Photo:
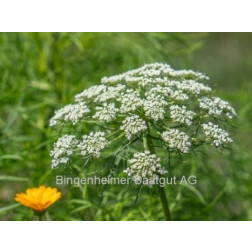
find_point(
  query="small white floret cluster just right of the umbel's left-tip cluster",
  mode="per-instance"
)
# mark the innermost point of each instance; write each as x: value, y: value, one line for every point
x: 107, y: 112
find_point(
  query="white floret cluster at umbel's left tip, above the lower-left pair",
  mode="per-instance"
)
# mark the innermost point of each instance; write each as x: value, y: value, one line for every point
x: 71, y: 112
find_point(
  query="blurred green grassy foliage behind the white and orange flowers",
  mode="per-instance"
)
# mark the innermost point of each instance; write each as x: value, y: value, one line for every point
x: 41, y: 72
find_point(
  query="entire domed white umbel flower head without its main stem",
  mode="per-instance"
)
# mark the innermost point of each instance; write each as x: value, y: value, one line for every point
x: 154, y: 96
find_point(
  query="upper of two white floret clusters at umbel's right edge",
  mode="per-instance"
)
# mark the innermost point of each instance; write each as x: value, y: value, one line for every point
x: 216, y: 106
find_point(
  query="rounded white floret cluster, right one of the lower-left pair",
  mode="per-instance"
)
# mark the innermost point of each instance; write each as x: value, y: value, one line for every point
x: 92, y: 144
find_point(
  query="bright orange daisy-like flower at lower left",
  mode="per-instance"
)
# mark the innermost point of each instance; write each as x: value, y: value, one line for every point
x: 38, y: 199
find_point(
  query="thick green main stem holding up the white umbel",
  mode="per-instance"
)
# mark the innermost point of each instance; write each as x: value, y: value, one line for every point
x: 161, y: 189
